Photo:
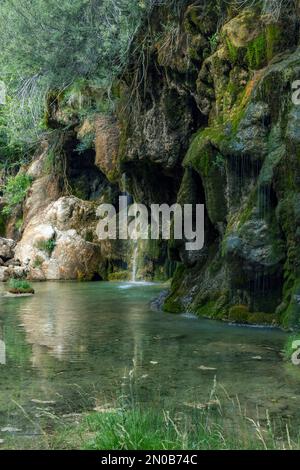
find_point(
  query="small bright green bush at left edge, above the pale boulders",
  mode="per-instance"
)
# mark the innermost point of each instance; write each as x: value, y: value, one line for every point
x: 15, y: 191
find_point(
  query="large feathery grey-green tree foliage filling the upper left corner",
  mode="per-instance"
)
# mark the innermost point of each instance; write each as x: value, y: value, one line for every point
x: 50, y: 45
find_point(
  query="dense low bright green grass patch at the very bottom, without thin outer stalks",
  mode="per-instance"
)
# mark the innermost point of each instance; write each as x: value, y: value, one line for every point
x: 137, y: 429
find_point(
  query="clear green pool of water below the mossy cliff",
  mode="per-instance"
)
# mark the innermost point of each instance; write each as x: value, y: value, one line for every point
x: 84, y: 345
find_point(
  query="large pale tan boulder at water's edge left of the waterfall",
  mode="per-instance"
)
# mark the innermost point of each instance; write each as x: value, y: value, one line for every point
x: 54, y: 243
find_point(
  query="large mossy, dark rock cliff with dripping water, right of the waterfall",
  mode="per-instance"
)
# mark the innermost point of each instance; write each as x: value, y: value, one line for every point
x: 232, y: 84
